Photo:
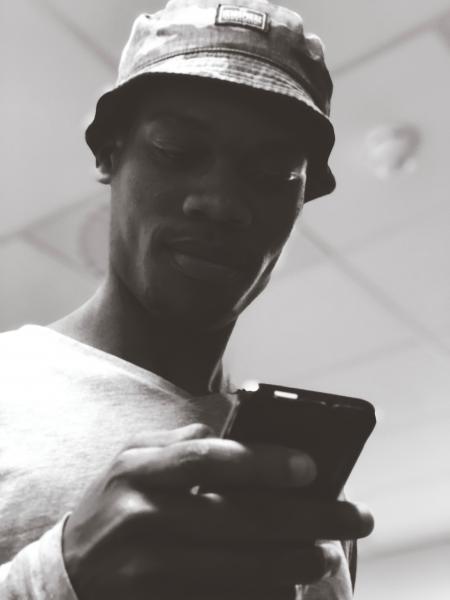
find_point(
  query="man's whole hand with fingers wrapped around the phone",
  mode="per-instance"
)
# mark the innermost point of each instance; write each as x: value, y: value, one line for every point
x: 141, y: 533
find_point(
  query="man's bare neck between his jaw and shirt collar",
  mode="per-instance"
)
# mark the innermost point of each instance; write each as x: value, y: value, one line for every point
x: 113, y: 321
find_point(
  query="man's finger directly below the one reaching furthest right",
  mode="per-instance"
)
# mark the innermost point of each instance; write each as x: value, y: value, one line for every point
x: 226, y: 566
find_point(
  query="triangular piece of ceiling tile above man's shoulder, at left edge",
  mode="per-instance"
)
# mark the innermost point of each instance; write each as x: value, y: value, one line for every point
x: 39, y: 288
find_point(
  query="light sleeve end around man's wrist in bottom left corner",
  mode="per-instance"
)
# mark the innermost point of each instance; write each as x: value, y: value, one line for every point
x: 38, y: 572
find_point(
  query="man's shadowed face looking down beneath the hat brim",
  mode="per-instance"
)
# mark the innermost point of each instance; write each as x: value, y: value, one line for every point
x: 205, y: 189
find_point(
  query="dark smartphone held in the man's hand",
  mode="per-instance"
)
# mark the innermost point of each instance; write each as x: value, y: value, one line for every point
x: 331, y: 429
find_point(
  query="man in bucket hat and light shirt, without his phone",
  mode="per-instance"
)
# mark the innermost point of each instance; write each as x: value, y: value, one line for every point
x: 216, y: 134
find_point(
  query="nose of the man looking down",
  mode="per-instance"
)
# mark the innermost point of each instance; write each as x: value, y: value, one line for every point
x: 219, y: 196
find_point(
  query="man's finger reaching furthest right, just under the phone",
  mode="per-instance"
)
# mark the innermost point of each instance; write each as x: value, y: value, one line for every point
x: 206, y: 519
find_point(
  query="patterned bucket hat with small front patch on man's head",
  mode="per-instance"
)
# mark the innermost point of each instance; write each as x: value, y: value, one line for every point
x: 247, y: 42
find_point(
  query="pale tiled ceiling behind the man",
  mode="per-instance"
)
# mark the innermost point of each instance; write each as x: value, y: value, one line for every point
x: 360, y: 303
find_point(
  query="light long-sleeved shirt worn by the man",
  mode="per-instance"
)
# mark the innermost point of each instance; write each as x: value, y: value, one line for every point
x: 66, y: 409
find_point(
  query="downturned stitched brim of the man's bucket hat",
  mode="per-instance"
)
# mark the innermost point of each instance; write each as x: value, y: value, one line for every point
x: 237, y: 69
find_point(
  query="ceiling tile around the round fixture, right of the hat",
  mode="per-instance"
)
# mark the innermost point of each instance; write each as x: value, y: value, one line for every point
x: 364, y: 208
